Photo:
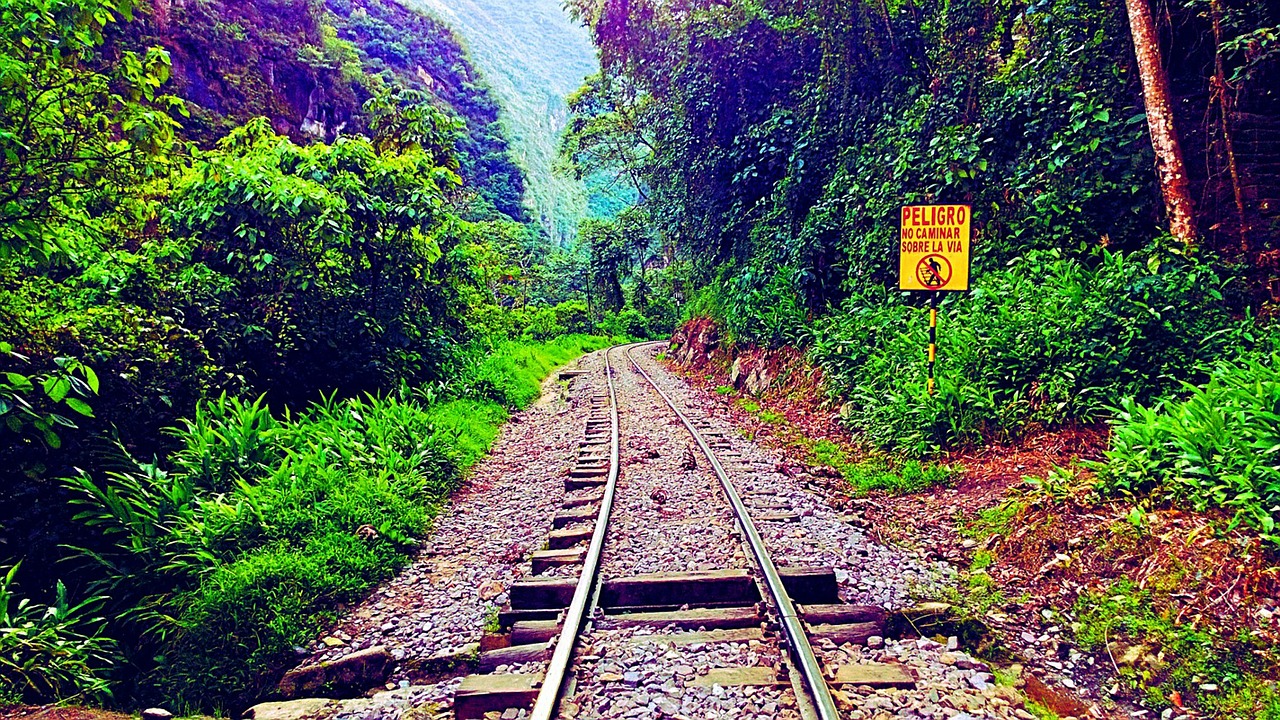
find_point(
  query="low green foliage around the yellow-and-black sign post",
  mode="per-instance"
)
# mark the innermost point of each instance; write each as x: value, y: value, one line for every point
x: 1046, y: 340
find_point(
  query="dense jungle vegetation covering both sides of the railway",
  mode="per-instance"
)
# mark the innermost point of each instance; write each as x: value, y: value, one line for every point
x: 275, y: 274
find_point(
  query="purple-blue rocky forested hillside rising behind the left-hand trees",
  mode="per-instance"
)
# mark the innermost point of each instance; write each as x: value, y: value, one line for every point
x: 310, y: 69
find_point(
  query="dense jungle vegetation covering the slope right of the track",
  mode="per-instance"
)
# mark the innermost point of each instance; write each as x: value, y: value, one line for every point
x: 772, y: 144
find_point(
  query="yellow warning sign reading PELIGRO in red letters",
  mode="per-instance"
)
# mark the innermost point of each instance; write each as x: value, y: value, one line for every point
x: 934, y: 249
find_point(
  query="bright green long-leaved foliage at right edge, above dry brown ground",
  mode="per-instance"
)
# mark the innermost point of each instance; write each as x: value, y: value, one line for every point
x: 1215, y: 446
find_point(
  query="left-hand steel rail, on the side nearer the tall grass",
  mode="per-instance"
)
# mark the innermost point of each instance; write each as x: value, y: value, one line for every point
x: 584, y: 595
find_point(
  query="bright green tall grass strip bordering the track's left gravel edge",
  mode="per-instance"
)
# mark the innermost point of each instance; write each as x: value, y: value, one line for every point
x: 250, y: 537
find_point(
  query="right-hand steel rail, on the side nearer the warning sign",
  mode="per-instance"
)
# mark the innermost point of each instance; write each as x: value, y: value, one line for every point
x: 797, y: 639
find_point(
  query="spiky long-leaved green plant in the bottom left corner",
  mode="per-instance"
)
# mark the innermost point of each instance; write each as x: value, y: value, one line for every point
x: 52, y: 651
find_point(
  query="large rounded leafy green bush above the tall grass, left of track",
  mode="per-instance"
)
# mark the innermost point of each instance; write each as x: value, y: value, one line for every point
x: 330, y: 247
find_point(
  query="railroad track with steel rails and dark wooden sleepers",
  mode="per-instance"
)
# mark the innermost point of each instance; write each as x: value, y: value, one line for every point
x: 739, y: 636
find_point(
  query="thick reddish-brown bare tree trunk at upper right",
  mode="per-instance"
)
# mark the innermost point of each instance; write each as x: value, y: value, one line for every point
x: 1160, y: 119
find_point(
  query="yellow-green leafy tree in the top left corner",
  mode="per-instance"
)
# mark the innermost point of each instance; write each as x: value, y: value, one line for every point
x: 70, y: 131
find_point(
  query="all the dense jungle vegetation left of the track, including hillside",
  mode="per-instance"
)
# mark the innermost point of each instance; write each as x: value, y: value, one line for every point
x: 271, y: 288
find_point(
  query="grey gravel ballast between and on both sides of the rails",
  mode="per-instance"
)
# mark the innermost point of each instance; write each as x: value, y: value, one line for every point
x: 668, y: 518
